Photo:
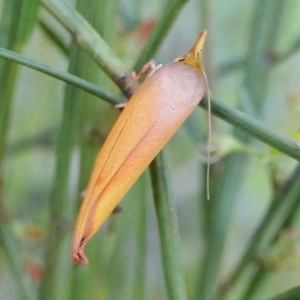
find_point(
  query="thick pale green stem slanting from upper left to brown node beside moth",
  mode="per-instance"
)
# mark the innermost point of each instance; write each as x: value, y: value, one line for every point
x: 88, y: 39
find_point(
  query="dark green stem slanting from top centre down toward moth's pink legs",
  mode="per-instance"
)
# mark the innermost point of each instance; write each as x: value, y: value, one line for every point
x: 169, y: 15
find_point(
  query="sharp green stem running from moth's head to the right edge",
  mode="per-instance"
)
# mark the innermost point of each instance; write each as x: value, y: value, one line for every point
x: 253, y: 127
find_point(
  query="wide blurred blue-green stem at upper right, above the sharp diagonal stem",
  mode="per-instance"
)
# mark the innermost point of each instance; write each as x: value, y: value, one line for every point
x: 267, y: 21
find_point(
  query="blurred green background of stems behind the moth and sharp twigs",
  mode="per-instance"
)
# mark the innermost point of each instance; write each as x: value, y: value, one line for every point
x: 51, y: 132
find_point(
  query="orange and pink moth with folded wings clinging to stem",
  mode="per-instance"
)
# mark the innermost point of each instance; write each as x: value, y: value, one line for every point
x: 153, y: 114
